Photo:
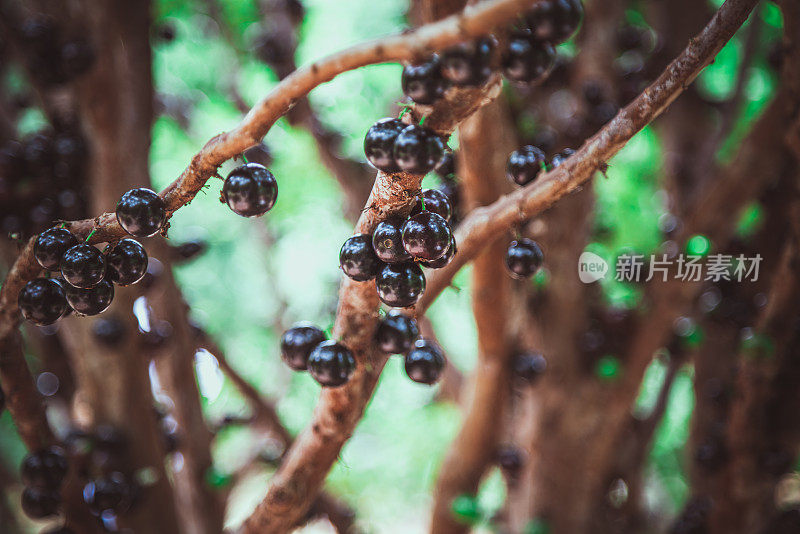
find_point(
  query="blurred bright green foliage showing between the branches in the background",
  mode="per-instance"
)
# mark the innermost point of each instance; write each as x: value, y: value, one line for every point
x: 260, y: 275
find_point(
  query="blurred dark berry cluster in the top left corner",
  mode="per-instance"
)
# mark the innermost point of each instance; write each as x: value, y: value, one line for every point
x: 51, y: 57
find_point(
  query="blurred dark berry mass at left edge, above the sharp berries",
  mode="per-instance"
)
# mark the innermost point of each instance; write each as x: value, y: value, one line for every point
x: 42, y: 178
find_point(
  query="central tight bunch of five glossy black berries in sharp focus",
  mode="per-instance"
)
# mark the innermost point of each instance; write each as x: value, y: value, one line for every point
x: 393, y: 253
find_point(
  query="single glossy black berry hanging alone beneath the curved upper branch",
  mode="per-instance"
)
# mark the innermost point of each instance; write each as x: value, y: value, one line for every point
x: 250, y: 190
